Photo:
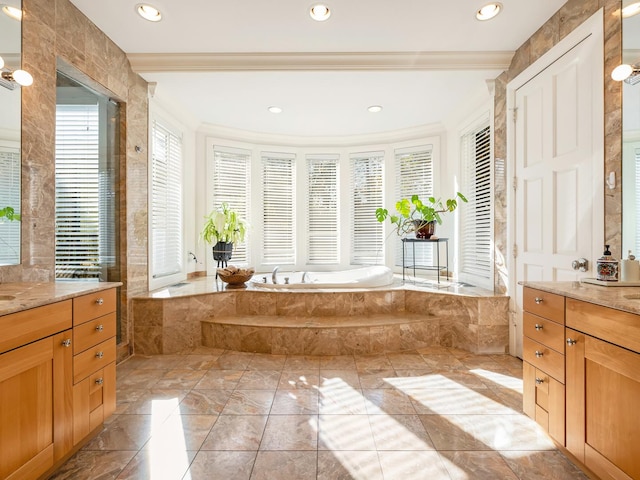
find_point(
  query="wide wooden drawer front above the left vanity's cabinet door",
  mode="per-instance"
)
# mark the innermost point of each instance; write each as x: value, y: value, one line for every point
x: 30, y: 325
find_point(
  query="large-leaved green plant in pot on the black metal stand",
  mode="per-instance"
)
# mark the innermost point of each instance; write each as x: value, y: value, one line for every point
x: 415, y: 215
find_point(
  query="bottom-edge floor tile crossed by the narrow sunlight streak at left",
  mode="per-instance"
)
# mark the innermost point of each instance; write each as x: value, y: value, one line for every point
x: 160, y: 464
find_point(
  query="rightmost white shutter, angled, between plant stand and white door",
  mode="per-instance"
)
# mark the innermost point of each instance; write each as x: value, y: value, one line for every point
x: 475, y: 227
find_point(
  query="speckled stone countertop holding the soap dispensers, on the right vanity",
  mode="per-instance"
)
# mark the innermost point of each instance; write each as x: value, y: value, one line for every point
x: 626, y: 299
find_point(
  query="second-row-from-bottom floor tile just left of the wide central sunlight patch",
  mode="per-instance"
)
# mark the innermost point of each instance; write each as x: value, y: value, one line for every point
x: 290, y: 432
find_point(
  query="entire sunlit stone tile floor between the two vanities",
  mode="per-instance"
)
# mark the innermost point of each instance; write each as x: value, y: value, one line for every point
x: 436, y: 413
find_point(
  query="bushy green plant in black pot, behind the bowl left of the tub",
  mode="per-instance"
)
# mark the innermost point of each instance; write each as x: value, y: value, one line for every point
x: 222, y: 228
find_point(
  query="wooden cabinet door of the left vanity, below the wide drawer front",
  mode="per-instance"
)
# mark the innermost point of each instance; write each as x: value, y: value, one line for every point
x: 26, y: 416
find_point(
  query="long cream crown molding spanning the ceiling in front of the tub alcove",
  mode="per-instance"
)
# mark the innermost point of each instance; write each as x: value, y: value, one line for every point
x: 215, y: 62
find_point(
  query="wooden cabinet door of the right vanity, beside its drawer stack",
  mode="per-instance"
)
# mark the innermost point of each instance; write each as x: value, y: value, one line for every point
x: 603, y: 398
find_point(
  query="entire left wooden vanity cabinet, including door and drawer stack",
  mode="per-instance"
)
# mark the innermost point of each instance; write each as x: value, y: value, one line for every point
x: 57, y: 381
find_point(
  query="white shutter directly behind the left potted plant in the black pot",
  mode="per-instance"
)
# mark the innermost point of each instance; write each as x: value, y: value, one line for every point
x: 231, y: 184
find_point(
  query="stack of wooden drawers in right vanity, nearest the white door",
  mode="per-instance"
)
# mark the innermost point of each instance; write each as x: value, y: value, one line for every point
x: 544, y: 363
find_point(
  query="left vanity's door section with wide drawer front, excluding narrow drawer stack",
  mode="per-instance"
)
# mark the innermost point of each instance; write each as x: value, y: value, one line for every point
x: 35, y: 392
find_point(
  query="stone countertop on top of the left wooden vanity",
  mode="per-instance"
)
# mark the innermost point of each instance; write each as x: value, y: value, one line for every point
x: 15, y: 297
